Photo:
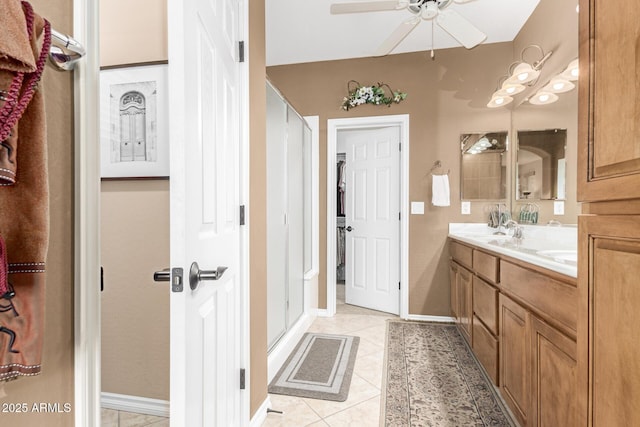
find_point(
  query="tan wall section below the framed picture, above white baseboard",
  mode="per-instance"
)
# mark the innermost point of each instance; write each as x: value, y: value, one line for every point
x: 135, y: 320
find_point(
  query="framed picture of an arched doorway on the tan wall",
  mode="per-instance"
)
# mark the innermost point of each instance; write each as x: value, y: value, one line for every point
x: 134, y: 126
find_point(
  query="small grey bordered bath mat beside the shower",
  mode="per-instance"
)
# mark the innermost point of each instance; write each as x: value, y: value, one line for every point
x: 319, y: 367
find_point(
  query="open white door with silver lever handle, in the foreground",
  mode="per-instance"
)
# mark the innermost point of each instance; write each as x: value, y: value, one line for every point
x: 206, y: 323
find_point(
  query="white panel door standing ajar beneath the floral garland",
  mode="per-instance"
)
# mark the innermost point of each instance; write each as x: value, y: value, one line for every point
x: 372, y: 209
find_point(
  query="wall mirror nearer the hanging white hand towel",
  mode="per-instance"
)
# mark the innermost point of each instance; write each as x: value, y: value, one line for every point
x: 483, y: 166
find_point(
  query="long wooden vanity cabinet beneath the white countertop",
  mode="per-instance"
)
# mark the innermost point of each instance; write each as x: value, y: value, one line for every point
x: 523, y: 323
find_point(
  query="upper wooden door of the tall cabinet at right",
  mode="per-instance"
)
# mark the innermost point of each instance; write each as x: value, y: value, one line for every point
x: 609, y: 152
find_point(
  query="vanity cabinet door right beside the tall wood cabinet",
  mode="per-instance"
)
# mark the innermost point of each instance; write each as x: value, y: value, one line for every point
x: 553, y: 377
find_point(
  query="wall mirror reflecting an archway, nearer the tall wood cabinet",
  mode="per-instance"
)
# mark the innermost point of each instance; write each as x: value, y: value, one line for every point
x: 541, y: 165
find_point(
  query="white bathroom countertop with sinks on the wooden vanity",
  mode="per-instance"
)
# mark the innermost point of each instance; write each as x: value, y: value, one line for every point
x: 550, y: 247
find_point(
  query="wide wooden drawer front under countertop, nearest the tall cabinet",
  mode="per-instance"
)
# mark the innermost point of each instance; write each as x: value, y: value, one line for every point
x: 555, y: 301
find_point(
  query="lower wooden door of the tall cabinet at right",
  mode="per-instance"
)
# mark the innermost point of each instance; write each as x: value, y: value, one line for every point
x: 609, y: 360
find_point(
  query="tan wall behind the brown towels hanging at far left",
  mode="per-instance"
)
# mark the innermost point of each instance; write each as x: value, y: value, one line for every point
x: 55, y: 384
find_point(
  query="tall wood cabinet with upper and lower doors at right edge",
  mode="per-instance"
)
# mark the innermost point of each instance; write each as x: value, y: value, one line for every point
x: 609, y: 229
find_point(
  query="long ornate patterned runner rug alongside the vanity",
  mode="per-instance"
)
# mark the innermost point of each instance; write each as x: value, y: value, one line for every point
x: 433, y: 379
